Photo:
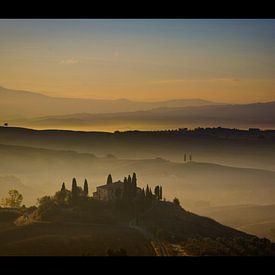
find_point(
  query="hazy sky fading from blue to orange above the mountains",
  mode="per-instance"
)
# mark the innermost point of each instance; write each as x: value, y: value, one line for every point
x: 221, y: 60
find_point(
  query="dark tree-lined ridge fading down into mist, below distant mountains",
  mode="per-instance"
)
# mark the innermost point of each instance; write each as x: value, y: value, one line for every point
x: 231, y: 147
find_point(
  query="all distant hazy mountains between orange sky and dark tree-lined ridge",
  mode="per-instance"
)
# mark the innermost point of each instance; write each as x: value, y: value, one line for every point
x: 27, y: 109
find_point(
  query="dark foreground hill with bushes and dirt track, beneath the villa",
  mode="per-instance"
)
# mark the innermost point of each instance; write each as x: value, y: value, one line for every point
x: 143, y: 225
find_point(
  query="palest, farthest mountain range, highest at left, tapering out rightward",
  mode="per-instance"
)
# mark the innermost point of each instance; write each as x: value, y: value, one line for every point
x: 24, y: 104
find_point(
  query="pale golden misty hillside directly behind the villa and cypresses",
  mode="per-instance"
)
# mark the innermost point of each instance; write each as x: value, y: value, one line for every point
x: 45, y: 169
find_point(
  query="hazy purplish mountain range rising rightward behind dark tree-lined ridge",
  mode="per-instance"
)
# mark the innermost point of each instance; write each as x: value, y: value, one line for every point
x: 260, y: 115
